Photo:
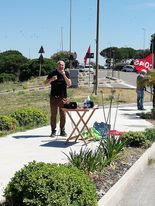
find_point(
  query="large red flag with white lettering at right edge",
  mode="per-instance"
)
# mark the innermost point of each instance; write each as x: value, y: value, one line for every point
x: 145, y: 63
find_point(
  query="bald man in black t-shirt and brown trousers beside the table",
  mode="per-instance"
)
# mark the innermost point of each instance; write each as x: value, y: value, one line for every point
x: 59, y: 80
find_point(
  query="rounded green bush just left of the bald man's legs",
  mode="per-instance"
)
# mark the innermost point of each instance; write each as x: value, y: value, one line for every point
x: 30, y: 117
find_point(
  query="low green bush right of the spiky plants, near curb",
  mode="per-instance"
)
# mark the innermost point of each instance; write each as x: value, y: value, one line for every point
x: 136, y: 139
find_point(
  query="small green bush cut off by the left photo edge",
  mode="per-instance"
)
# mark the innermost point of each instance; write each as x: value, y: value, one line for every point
x: 7, y: 123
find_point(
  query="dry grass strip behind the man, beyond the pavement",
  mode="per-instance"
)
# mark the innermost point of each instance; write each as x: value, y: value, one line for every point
x: 16, y: 98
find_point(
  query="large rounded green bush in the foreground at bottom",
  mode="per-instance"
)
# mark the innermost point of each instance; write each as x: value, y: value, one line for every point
x: 45, y: 184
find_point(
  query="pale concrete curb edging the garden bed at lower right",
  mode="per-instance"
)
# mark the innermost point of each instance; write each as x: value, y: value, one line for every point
x: 115, y: 194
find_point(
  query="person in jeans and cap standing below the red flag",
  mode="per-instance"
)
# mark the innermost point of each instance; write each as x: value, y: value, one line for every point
x: 140, y: 89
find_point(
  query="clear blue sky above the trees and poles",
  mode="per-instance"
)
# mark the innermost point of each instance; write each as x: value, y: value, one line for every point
x: 26, y: 25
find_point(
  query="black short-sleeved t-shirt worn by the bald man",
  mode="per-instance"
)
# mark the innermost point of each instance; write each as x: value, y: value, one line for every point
x: 59, y: 86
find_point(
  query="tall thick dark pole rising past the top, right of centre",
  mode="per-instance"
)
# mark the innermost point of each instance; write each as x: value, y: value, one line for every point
x: 97, y: 46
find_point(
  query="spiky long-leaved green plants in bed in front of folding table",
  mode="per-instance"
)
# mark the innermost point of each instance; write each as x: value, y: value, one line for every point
x: 91, y: 161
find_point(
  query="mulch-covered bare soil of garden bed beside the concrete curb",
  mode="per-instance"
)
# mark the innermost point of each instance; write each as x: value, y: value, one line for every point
x: 106, y: 179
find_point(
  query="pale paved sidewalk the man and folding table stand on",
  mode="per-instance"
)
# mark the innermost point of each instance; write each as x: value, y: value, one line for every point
x: 20, y: 148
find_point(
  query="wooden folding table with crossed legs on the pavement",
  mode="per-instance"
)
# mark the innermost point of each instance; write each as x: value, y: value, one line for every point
x: 81, y: 113
